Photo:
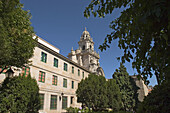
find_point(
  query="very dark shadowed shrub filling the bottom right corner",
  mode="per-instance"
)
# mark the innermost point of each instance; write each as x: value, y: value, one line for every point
x: 158, y: 101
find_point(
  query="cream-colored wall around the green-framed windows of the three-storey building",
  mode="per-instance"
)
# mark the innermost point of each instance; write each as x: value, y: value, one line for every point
x: 47, y: 88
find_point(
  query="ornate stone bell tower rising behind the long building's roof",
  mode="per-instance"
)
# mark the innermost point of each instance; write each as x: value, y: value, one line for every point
x: 85, y: 55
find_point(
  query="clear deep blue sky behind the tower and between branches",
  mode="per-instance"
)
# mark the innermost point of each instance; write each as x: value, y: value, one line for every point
x: 61, y: 23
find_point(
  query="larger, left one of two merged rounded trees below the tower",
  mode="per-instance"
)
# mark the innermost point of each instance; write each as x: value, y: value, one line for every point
x: 92, y: 92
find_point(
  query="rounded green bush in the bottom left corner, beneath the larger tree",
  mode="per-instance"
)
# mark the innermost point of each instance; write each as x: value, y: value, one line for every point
x: 19, y: 94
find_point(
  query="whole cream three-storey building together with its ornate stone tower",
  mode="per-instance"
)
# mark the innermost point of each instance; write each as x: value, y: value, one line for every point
x: 57, y: 75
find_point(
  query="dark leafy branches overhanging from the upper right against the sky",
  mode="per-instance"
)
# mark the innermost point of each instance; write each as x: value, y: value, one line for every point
x: 142, y: 30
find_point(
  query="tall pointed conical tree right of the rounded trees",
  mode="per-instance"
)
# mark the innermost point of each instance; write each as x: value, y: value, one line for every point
x: 128, y: 88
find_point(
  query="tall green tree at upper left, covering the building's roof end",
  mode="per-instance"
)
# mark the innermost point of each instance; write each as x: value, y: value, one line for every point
x: 16, y: 34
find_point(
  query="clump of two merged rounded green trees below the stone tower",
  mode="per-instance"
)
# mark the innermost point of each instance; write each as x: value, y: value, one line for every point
x: 98, y: 94
